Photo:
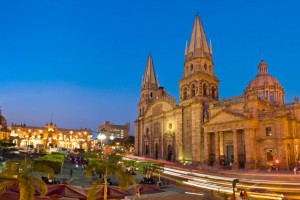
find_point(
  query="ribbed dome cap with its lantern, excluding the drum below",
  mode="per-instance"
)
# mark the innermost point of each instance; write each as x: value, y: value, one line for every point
x: 263, y: 79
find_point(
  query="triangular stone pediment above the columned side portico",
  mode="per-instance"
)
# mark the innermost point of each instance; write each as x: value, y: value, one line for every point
x: 225, y: 117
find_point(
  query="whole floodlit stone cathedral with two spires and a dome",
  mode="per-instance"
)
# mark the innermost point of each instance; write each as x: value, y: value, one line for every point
x: 255, y: 130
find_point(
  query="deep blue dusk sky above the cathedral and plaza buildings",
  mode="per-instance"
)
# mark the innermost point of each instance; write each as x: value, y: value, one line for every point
x: 82, y: 61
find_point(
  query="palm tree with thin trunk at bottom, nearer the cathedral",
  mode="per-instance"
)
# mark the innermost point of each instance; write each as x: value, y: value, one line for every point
x: 107, y: 165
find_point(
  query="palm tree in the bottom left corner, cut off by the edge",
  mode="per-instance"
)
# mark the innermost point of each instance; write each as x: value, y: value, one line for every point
x: 27, y: 175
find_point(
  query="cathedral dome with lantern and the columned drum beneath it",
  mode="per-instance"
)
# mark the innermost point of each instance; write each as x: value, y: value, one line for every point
x: 267, y: 86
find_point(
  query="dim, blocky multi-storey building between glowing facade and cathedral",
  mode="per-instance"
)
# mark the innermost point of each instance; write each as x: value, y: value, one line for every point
x: 118, y: 131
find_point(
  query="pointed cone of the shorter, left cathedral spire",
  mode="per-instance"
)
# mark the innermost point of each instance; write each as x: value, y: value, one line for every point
x: 149, y: 79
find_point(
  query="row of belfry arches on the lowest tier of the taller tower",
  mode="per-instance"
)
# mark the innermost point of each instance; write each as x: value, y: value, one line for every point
x: 205, y: 90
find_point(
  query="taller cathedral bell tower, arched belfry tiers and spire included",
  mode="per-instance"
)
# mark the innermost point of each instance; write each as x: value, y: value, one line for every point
x: 199, y: 81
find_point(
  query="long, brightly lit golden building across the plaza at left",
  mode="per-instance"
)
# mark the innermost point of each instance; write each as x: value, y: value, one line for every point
x: 50, y: 136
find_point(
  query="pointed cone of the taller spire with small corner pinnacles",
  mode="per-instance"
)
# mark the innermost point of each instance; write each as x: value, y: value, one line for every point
x: 198, y: 46
